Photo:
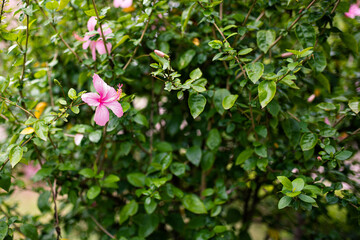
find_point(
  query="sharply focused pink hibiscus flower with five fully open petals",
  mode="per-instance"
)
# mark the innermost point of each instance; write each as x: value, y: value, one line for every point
x: 107, y: 97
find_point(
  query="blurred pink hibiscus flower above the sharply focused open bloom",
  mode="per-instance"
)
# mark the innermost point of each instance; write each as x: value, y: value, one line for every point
x: 97, y: 44
